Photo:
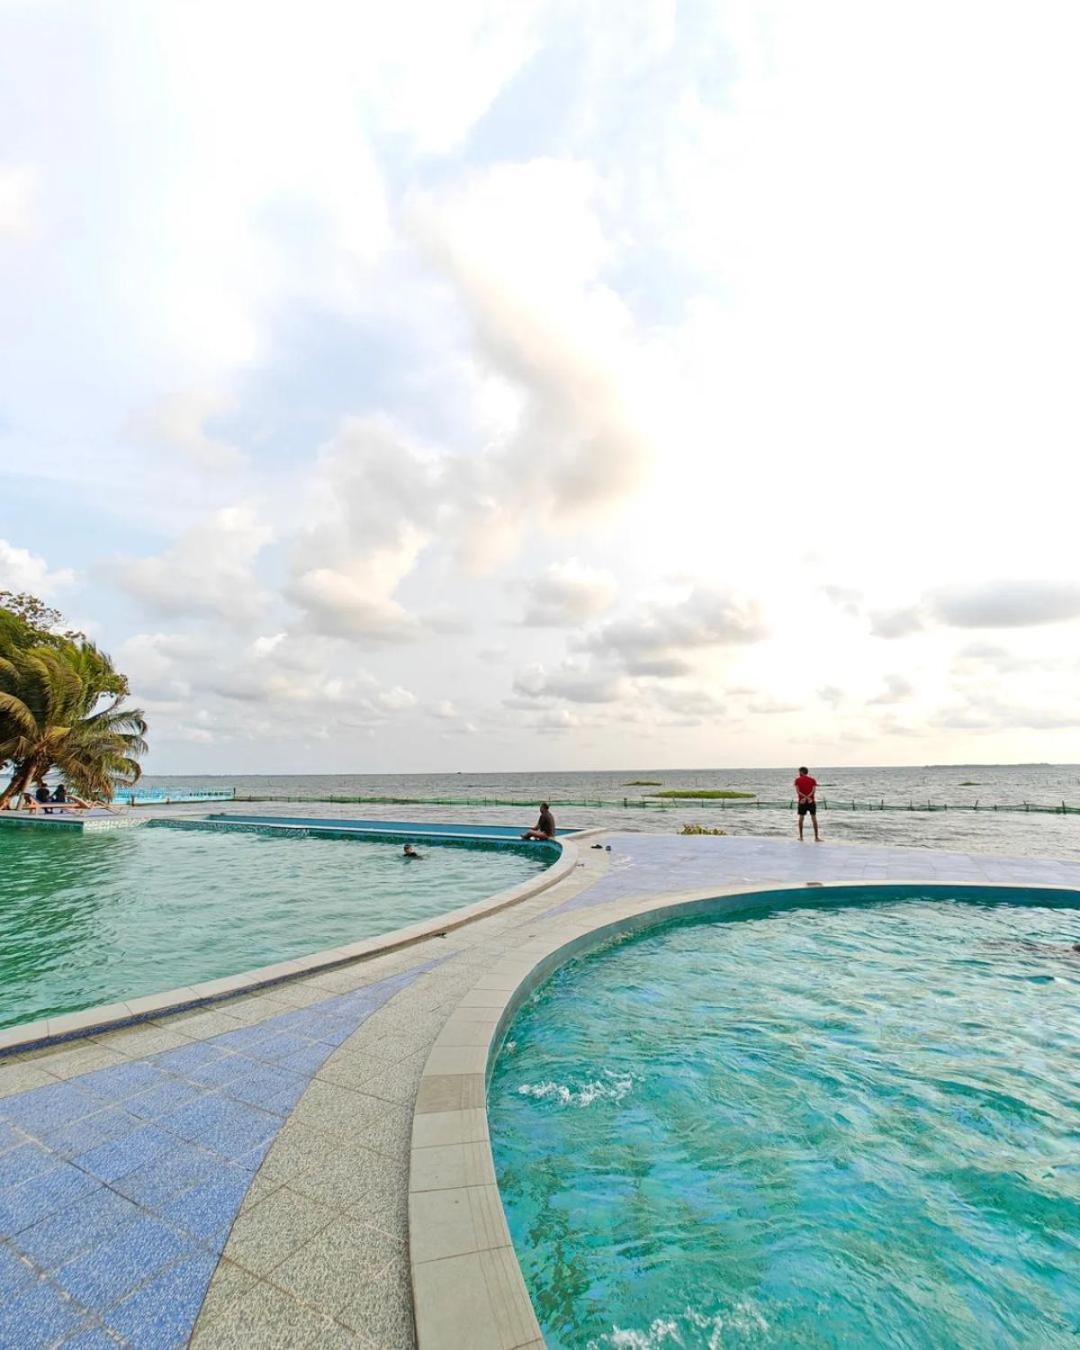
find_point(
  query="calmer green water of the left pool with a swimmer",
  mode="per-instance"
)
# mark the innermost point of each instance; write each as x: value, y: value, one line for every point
x: 90, y: 919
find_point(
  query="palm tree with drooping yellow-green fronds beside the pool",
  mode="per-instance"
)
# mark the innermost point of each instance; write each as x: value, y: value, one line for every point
x: 57, y: 711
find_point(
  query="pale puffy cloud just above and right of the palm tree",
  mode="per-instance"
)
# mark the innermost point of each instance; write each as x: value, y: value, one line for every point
x: 209, y: 570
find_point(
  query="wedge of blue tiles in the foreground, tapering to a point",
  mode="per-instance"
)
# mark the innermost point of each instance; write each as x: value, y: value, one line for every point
x: 118, y: 1189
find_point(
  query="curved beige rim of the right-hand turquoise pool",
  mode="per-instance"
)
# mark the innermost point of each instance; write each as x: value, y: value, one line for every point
x: 456, y: 1205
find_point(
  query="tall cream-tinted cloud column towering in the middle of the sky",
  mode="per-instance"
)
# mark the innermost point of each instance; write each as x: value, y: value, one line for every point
x: 523, y: 246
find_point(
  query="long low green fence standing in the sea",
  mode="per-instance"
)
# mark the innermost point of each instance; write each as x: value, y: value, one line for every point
x: 682, y: 803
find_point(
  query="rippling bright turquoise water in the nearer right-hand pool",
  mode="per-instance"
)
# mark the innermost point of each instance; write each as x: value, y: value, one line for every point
x: 821, y: 1127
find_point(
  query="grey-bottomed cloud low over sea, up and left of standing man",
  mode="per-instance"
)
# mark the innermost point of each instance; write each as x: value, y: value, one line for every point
x: 655, y: 641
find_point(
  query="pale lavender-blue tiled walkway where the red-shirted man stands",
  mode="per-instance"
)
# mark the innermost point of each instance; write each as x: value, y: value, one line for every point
x: 658, y: 865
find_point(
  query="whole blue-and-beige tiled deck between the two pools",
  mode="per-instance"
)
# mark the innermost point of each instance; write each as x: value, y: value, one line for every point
x: 308, y: 1164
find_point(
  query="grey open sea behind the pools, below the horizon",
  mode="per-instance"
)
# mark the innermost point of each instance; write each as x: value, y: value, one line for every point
x: 619, y: 800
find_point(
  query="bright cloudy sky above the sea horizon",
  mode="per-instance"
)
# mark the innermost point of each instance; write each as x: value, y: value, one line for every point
x: 564, y: 384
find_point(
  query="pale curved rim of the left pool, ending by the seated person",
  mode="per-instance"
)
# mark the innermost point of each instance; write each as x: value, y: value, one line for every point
x: 110, y: 1017
